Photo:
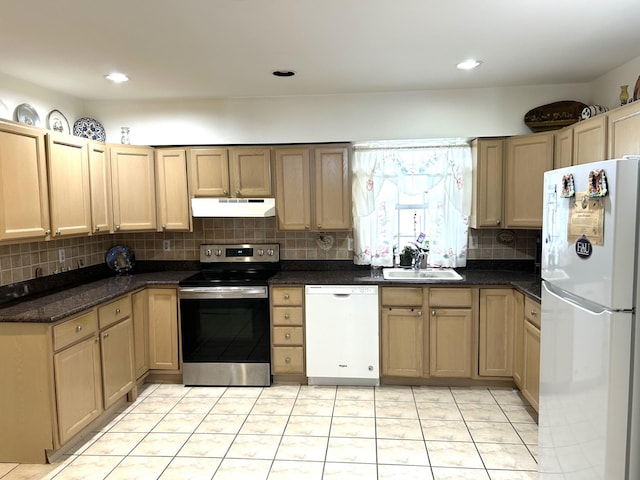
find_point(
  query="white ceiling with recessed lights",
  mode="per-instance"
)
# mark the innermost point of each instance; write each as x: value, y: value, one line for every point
x: 228, y: 48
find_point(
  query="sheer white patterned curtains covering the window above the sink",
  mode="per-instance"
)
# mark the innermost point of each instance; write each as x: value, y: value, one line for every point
x: 442, y: 174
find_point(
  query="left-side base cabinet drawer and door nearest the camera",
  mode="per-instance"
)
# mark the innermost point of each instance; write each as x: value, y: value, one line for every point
x: 77, y: 370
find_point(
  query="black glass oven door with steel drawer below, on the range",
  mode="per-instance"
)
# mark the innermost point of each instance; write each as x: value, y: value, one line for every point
x: 225, y: 335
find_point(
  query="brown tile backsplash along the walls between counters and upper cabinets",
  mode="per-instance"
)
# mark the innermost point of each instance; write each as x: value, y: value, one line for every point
x: 25, y: 261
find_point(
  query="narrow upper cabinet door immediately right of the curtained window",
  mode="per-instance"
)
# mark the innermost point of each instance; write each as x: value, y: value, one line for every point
x: 486, y: 204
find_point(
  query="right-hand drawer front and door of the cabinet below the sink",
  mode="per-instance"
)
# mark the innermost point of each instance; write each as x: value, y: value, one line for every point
x: 451, y: 332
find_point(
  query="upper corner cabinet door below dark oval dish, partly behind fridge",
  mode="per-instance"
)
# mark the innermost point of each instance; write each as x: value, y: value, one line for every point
x: 527, y: 158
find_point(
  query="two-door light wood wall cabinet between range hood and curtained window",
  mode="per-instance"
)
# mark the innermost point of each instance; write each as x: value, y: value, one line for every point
x: 313, y: 190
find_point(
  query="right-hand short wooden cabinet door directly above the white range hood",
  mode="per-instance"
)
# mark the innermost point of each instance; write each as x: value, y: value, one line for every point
x: 251, y: 172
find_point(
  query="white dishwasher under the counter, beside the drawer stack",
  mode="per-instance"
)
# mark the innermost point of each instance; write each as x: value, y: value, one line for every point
x: 341, y: 326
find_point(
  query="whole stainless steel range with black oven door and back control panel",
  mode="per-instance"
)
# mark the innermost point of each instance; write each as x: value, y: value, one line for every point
x: 225, y: 316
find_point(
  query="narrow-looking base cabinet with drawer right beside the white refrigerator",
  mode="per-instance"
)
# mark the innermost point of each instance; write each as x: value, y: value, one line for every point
x: 531, y: 383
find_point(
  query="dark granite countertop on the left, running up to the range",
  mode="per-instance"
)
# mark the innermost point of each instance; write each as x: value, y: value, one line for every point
x: 57, y: 306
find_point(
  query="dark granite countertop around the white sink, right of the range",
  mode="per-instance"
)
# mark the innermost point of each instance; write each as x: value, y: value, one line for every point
x: 526, y: 282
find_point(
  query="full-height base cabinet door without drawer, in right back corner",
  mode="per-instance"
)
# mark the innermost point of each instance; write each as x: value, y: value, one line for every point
x: 496, y: 332
